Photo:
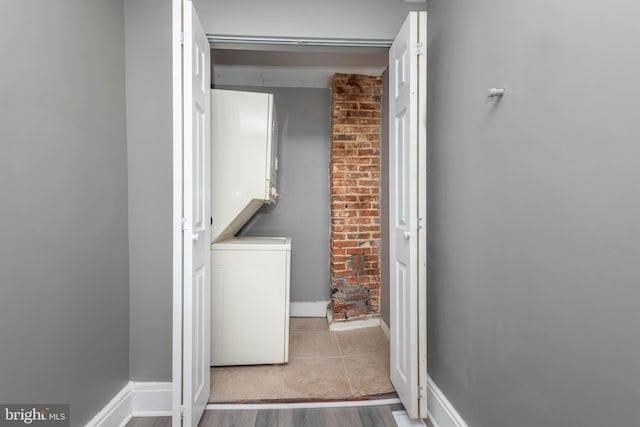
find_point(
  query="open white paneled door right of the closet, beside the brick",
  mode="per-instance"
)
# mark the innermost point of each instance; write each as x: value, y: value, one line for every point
x: 407, y: 192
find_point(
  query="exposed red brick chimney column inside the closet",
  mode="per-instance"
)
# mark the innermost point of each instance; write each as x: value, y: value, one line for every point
x: 355, y: 194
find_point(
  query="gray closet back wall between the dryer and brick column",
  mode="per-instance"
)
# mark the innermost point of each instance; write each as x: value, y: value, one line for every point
x: 302, y: 212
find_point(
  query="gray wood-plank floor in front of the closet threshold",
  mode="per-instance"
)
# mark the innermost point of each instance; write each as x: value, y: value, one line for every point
x: 364, y: 416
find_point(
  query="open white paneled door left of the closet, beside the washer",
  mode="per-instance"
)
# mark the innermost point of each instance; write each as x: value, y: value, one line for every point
x: 196, y: 228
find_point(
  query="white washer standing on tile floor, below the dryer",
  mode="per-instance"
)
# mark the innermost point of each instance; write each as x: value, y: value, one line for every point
x: 250, y: 301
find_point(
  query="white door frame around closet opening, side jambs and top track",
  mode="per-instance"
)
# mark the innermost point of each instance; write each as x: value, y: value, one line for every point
x: 177, y: 261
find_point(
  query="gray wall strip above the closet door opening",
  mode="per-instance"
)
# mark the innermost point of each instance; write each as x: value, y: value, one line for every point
x: 368, y: 19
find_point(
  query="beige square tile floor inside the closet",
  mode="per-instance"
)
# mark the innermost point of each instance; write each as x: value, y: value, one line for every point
x: 323, y: 365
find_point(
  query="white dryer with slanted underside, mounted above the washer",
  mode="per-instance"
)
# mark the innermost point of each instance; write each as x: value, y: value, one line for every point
x: 244, y: 158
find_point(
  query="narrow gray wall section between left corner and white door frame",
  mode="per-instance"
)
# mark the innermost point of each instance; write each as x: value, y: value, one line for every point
x: 149, y: 150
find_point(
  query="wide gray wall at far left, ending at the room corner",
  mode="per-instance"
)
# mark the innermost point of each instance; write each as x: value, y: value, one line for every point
x: 64, y: 301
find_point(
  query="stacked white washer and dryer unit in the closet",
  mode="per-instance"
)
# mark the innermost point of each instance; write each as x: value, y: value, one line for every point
x: 250, y: 275
